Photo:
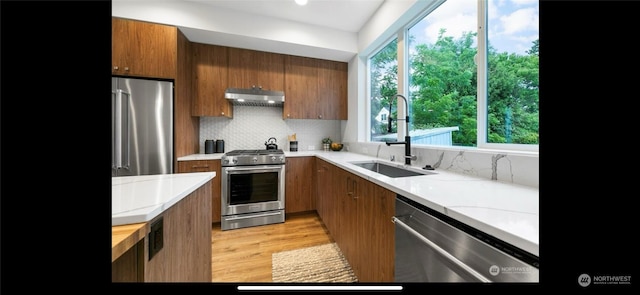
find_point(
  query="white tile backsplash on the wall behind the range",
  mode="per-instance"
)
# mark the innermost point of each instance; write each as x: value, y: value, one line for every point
x: 252, y: 126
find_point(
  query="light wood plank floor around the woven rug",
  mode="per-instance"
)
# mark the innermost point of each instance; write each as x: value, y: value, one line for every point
x: 244, y: 255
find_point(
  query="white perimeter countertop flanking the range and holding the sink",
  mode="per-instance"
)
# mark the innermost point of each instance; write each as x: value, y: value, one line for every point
x: 507, y: 211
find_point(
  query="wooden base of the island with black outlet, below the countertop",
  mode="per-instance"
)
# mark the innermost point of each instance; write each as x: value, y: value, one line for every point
x: 177, y: 246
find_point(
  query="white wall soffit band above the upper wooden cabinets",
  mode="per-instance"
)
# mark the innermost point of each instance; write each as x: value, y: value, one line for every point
x: 229, y: 28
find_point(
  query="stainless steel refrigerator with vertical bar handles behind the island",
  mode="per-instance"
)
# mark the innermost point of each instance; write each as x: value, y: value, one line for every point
x: 142, y: 127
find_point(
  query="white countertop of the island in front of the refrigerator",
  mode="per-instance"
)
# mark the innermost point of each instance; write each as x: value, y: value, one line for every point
x: 137, y: 199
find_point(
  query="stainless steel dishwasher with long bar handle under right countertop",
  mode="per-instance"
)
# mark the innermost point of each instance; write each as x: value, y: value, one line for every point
x: 432, y: 247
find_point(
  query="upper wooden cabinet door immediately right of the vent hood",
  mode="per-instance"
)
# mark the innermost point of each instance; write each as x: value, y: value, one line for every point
x: 301, y: 88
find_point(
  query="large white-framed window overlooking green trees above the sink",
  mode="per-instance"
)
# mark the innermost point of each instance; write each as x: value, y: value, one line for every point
x: 465, y: 87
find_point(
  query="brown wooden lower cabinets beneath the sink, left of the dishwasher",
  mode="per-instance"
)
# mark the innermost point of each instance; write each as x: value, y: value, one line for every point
x: 358, y: 215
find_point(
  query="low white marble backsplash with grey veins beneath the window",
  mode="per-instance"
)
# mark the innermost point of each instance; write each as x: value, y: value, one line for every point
x: 517, y: 168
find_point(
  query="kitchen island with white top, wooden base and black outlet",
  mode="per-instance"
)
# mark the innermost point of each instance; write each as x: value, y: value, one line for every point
x: 161, y: 228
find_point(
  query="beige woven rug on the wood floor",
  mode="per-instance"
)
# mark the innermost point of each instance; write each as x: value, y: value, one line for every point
x: 318, y: 264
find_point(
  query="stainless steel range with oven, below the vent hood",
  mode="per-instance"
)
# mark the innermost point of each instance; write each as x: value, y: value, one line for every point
x: 252, y: 188
